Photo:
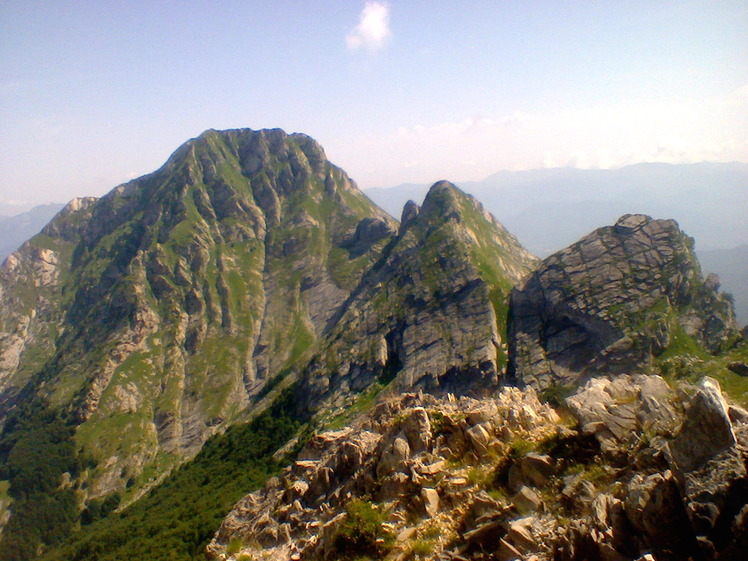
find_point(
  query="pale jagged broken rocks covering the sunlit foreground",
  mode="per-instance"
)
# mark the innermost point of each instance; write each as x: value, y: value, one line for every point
x: 638, y: 477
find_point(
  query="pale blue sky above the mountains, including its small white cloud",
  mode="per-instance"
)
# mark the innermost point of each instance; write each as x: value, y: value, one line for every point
x: 95, y: 93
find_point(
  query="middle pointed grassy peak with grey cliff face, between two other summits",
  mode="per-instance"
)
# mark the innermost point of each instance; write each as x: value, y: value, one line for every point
x: 431, y: 313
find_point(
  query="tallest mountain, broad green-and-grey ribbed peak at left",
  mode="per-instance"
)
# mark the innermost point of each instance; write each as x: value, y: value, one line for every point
x: 164, y: 307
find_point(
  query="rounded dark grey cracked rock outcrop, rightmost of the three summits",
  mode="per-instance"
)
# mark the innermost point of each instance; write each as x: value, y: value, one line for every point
x: 611, y: 302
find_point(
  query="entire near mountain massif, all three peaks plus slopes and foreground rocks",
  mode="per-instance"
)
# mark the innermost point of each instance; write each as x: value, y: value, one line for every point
x: 239, y: 357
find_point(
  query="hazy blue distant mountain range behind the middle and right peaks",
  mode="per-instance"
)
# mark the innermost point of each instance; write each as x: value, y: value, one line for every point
x: 548, y: 209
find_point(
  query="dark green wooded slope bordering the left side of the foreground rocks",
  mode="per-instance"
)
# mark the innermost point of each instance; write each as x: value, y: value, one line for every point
x: 176, y: 520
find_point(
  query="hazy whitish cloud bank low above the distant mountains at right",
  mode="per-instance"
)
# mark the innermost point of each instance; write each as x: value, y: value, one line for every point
x: 678, y: 130
